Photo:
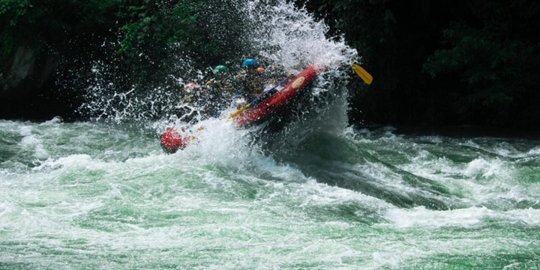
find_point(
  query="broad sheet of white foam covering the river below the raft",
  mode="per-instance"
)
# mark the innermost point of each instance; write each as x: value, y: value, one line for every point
x: 223, y: 198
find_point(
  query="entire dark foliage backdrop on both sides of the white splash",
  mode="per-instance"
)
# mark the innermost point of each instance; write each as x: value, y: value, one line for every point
x: 440, y: 62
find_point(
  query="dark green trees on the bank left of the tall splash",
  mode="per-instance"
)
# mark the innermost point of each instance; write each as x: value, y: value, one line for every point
x: 49, y: 48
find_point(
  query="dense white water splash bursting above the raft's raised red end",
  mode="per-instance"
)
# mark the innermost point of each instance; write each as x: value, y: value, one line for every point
x: 290, y: 36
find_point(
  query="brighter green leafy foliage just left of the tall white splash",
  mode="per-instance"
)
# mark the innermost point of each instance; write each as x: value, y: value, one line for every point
x: 158, y: 34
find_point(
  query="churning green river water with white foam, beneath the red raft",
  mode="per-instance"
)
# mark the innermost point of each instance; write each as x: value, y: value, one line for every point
x: 94, y: 196
